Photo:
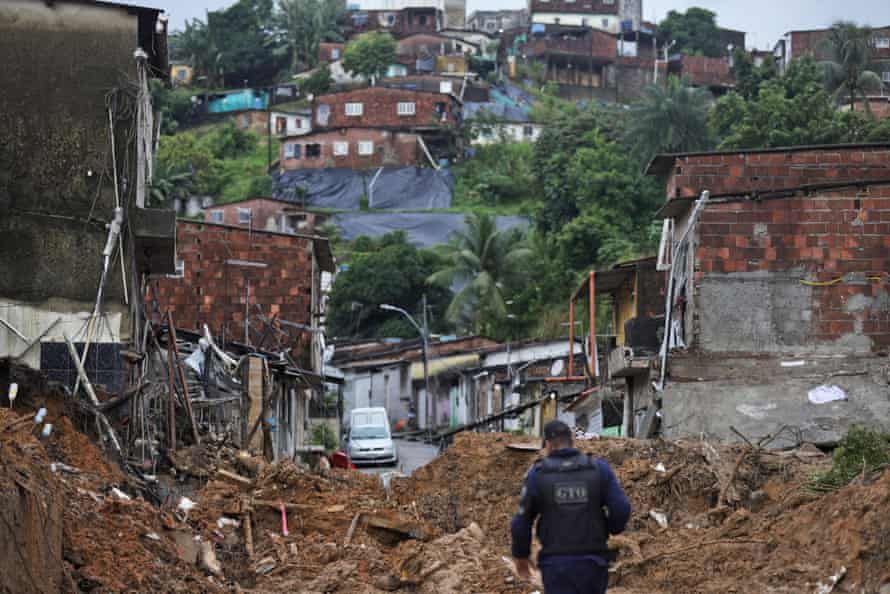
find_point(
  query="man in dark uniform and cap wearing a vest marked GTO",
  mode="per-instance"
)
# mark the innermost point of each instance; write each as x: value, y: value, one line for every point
x: 577, y: 502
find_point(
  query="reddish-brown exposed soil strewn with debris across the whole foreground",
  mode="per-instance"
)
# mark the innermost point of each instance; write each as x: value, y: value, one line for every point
x: 738, y: 520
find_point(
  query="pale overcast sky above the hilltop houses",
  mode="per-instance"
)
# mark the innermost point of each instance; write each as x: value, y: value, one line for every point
x: 764, y: 20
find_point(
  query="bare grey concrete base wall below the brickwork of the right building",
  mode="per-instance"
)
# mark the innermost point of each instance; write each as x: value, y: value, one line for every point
x: 759, y: 396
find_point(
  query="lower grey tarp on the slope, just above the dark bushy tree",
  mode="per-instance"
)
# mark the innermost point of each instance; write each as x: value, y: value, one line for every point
x: 423, y: 229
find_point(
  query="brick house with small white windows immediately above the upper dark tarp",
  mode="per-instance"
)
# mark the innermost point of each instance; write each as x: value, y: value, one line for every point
x: 351, y: 148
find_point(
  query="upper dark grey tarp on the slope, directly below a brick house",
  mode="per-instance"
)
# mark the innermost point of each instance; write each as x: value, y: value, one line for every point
x: 402, y: 188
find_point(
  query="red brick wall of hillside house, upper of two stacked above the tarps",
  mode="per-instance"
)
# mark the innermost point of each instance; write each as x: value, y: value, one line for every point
x: 380, y: 109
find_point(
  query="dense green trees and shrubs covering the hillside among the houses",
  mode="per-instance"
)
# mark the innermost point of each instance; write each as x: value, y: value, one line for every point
x: 581, y: 184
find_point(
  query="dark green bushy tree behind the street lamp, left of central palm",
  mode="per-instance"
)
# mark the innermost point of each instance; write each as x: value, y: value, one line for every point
x: 385, y: 270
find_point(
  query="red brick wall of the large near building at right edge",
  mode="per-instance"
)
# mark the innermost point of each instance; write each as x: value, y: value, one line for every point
x: 824, y: 237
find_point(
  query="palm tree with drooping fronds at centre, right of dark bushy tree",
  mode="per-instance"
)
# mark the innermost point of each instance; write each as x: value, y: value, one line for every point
x: 482, y: 261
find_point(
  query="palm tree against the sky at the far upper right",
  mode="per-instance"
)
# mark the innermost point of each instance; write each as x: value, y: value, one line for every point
x: 846, y: 71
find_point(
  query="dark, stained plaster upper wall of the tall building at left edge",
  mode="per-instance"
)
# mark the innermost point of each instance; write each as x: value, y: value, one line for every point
x: 60, y: 62
